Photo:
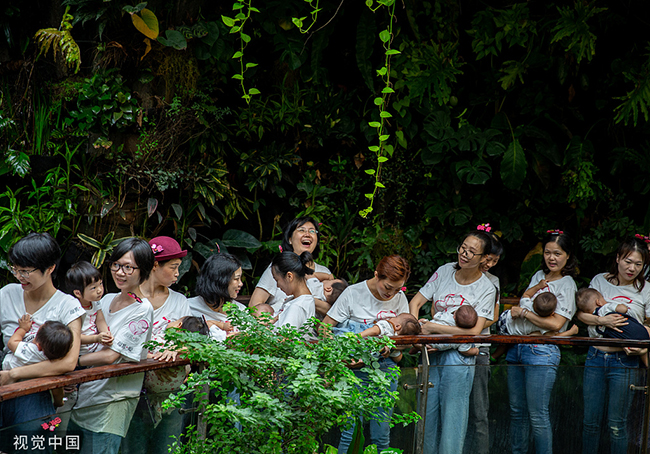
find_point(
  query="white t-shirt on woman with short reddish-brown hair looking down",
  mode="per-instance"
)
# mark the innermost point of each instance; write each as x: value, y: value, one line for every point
x: 358, y: 304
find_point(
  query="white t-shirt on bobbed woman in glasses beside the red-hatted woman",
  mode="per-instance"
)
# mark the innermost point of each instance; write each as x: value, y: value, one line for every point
x: 131, y: 329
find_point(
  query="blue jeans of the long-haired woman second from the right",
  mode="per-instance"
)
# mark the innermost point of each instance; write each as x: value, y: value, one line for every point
x: 531, y: 375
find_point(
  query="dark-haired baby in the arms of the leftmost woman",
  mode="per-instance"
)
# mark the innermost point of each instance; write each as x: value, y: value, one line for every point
x: 53, y: 341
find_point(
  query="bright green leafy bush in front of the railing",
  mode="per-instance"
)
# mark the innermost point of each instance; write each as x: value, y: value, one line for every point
x: 291, y: 391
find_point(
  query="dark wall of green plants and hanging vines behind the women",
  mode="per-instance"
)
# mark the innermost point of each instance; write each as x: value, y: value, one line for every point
x: 529, y: 116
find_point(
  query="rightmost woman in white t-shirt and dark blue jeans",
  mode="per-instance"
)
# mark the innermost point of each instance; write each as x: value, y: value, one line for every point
x: 610, y: 371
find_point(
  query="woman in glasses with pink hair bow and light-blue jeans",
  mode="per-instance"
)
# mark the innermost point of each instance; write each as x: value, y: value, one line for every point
x: 452, y: 373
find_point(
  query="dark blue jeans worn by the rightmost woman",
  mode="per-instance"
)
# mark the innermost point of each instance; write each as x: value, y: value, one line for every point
x: 607, y: 381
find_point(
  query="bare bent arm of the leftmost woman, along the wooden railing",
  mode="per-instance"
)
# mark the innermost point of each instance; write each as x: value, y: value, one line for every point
x: 48, y: 368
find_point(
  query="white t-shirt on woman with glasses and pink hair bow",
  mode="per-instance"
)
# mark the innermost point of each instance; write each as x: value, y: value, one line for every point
x: 447, y: 294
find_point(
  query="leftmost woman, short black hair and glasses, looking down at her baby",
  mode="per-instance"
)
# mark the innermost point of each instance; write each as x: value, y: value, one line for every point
x: 34, y: 262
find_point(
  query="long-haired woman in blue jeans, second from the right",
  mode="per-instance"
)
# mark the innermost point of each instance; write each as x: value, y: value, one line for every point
x: 530, y: 384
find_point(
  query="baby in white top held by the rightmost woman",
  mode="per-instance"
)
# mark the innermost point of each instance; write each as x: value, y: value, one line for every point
x: 590, y: 301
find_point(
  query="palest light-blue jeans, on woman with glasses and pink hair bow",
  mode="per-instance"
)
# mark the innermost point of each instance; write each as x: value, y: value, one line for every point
x: 452, y: 376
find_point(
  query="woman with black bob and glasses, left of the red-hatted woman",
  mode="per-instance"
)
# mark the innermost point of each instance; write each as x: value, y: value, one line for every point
x: 105, y: 407
